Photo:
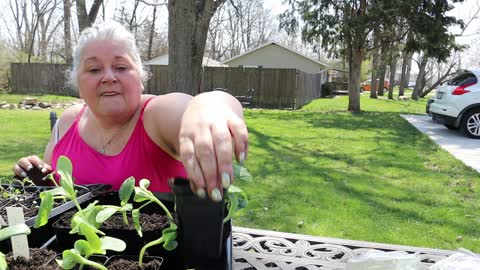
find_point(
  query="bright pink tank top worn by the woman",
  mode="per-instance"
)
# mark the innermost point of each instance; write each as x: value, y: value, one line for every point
x: 140, y: 158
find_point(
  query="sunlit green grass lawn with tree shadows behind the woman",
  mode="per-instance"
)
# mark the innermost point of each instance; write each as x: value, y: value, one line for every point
x: 324, y: 171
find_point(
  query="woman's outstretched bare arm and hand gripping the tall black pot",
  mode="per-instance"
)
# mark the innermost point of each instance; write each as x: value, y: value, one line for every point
x: 202, y: 130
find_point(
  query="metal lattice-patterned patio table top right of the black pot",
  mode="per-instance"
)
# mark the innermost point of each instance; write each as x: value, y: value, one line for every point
x: 262, y: 249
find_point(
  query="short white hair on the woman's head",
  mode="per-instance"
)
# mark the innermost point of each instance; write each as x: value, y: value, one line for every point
x: 106, y: 31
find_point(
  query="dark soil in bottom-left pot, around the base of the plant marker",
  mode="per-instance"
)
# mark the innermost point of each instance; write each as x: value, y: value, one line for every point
x: 40, y: 259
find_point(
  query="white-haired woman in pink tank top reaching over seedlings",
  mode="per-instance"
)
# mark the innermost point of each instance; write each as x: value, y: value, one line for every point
x: 120, y: 132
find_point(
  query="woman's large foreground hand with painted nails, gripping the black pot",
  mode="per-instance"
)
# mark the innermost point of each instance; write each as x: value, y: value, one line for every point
x: 212, y: 128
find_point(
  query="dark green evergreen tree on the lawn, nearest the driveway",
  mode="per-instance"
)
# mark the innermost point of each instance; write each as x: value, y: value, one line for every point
x: 348, y: 24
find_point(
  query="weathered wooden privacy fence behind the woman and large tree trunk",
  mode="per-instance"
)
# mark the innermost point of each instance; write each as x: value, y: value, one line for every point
x: 274, y: 88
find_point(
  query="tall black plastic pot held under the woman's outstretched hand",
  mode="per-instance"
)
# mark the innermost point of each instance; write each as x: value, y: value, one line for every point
x: 202, y: 234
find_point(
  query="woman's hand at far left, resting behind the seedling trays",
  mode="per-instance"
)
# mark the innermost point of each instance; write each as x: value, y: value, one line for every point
x: 33, y: 167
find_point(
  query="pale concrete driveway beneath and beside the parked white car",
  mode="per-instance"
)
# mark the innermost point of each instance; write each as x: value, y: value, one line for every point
x: 465, y: 149
